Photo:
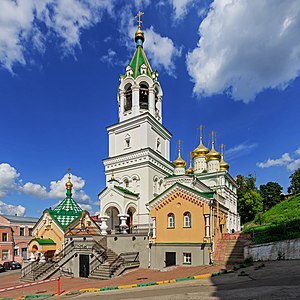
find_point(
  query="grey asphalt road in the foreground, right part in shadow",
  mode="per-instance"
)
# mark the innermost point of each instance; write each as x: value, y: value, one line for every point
x: 276, y: 280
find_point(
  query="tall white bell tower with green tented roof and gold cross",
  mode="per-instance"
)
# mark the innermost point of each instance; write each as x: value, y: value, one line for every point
x: 139, y: 144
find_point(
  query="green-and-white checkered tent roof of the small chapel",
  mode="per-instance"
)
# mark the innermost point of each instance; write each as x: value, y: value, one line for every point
x: 66, y: 212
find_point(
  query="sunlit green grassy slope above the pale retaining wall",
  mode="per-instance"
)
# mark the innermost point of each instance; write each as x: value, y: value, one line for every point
x: 279, y: 223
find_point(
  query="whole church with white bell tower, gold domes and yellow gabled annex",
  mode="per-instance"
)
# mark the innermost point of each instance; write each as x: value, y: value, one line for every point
x: 186, y: 208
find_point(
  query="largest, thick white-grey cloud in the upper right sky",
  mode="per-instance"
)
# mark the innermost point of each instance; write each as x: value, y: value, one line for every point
x: 246, y: 47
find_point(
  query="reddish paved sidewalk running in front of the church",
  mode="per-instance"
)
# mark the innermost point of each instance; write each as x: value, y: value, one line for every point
x: 131, y: 277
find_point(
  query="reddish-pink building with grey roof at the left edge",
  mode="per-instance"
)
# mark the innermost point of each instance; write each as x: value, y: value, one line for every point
x: 15, y: 234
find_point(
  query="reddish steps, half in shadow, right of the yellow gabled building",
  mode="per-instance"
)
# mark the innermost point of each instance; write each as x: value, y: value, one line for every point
x: 230, y: 249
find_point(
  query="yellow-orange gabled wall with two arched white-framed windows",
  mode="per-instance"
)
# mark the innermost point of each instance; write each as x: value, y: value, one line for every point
x: 178, y: 203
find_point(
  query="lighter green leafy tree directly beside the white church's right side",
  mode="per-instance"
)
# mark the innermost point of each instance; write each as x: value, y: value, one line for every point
x: 249, y: 199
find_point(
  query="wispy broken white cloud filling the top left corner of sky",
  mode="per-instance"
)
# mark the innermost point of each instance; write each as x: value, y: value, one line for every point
x: 21, y: 33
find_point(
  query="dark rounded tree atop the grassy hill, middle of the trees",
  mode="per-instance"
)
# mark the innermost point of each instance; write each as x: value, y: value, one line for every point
x: 270, y: 193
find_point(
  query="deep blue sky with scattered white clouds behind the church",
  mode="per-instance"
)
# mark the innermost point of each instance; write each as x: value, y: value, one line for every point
x: 230, y: 65
